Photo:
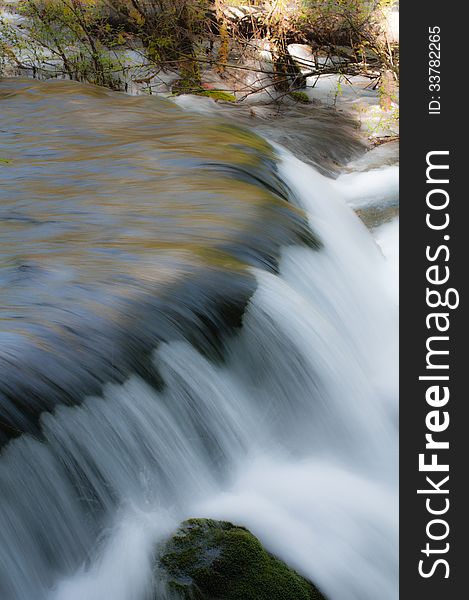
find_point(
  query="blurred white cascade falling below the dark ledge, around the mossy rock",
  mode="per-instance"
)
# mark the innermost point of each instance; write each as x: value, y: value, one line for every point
x: 295, y: 436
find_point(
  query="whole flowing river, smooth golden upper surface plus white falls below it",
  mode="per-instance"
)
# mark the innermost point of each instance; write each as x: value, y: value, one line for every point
x: 193, y: 323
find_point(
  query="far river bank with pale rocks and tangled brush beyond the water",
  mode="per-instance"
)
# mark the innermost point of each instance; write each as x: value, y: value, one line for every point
x: 348, y: 80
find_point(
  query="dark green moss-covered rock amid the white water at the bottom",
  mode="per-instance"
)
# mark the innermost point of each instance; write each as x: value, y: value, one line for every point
x: 215, y: 560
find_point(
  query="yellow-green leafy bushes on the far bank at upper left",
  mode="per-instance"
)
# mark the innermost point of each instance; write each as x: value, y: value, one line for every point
x: 76, y: 37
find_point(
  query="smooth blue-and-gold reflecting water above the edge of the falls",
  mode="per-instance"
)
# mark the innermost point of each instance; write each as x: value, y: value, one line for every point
x: 107, y: 202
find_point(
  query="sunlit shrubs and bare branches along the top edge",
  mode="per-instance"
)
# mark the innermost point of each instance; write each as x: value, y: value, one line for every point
x: 87, y: 40
